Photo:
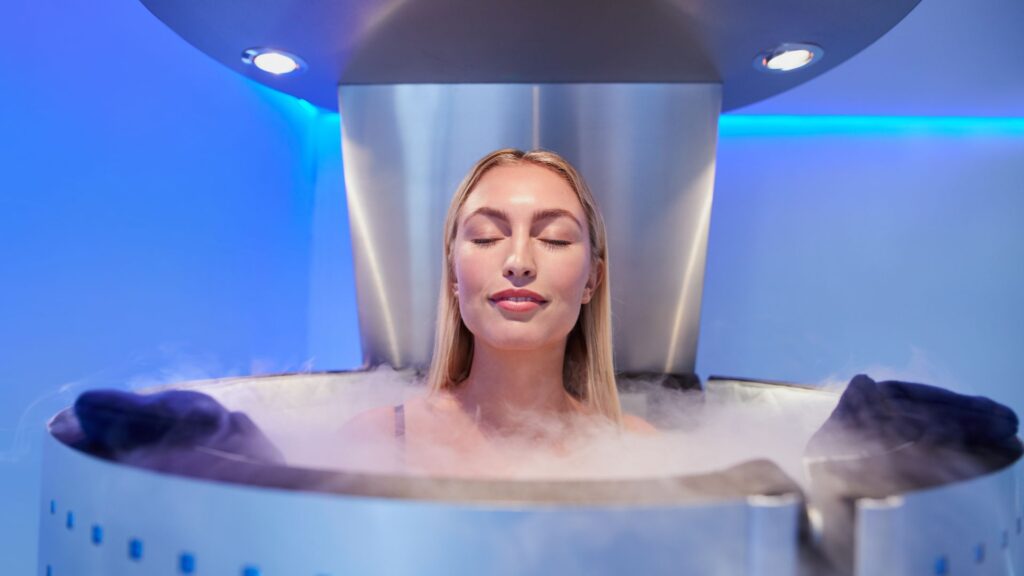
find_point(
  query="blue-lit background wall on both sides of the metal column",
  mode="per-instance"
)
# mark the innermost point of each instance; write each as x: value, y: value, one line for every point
x: 162, y: 218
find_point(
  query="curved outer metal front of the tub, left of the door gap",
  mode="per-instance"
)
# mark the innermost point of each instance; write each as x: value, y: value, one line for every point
x: 229, y: 527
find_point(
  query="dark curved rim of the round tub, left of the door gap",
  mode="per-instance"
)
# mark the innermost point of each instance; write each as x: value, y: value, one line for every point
x: 749, y: 479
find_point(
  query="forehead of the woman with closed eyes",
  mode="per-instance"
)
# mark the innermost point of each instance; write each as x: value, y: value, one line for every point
x: 521, y: 190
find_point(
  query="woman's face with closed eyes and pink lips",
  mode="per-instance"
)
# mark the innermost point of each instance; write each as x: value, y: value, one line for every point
x: 523, y: 228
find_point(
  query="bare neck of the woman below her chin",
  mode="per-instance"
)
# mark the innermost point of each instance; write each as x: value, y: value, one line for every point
x: 505, y: 384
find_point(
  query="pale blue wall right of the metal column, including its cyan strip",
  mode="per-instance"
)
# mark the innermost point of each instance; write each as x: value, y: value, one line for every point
x: 887, y: 245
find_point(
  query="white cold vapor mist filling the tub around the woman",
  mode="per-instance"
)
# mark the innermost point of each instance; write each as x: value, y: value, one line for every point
x: 698, y: 433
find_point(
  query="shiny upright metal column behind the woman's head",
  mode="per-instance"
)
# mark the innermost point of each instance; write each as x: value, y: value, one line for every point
x: 648, y: 152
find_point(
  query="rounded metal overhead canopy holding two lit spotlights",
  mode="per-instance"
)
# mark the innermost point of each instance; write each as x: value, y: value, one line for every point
x: 530, y: 42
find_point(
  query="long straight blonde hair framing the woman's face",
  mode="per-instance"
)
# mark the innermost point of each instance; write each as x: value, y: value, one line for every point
x: 588, y: 374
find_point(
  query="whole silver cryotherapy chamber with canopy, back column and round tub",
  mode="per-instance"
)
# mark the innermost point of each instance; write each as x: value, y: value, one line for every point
x: 630, y: 93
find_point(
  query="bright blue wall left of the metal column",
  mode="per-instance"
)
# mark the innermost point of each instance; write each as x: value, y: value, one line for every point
x: 155, y: 224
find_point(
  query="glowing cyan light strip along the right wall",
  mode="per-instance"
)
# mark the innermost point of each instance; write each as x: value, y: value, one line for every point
x: 773, y: 127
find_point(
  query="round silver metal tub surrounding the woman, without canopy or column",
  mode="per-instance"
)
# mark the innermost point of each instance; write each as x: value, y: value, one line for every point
x: 306, y: 524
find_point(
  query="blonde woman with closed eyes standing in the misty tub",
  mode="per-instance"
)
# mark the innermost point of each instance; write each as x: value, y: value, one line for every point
x: 523, y: 351
